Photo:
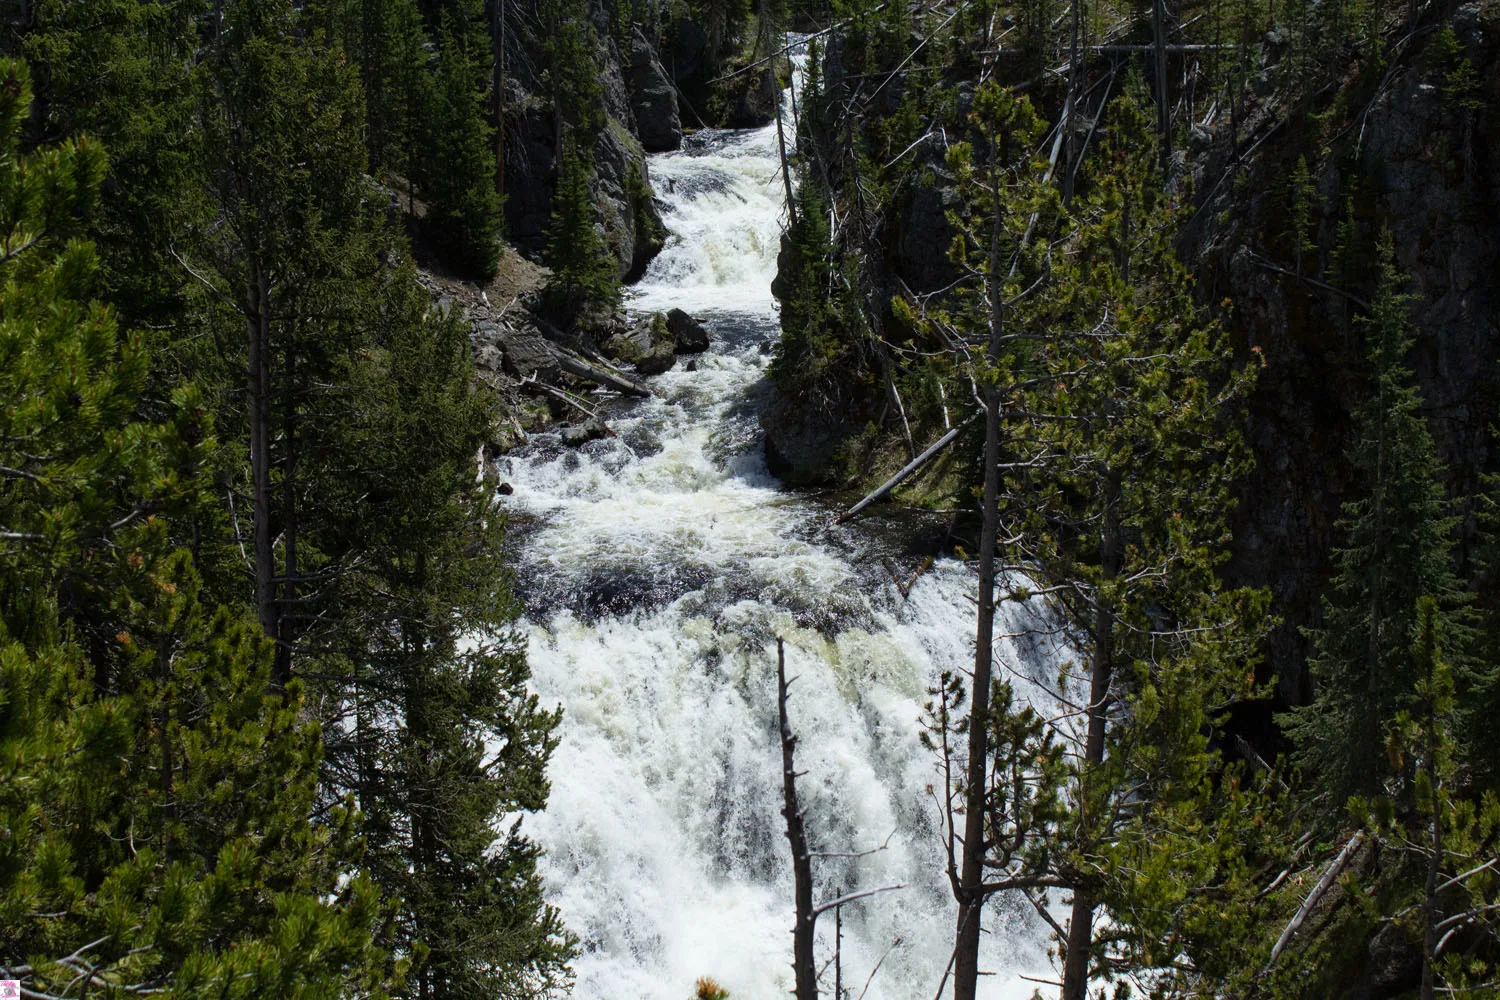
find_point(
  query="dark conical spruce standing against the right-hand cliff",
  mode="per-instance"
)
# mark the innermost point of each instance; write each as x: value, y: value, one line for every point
x: 1397, y: 546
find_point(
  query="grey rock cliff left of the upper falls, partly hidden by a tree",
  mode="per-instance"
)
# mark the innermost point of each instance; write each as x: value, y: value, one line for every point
x: 641, y: 109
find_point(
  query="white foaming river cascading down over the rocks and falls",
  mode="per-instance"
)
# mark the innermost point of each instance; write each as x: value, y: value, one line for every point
x: 658, y: 567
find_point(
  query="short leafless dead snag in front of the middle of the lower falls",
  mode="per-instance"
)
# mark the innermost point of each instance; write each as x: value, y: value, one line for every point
x: 805, y: 963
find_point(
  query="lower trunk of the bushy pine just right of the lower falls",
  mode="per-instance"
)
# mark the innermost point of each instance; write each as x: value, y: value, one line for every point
x: 1081, y: 924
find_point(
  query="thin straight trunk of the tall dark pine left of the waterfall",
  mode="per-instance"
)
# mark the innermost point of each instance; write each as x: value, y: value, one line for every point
x: 259, y: 365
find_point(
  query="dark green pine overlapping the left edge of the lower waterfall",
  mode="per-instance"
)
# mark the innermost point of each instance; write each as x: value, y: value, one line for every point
x: 433, y: 728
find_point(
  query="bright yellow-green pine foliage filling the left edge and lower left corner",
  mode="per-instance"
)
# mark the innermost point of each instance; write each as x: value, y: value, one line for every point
x: 155, y: 797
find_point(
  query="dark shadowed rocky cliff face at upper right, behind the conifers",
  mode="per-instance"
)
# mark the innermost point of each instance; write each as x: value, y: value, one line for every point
x: 1409, y: 157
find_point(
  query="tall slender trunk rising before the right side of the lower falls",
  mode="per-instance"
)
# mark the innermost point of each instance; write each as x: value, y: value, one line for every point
x: 971, y: 873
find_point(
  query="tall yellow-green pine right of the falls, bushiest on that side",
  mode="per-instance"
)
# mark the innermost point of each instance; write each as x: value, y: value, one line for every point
x: 1139, y: 416
